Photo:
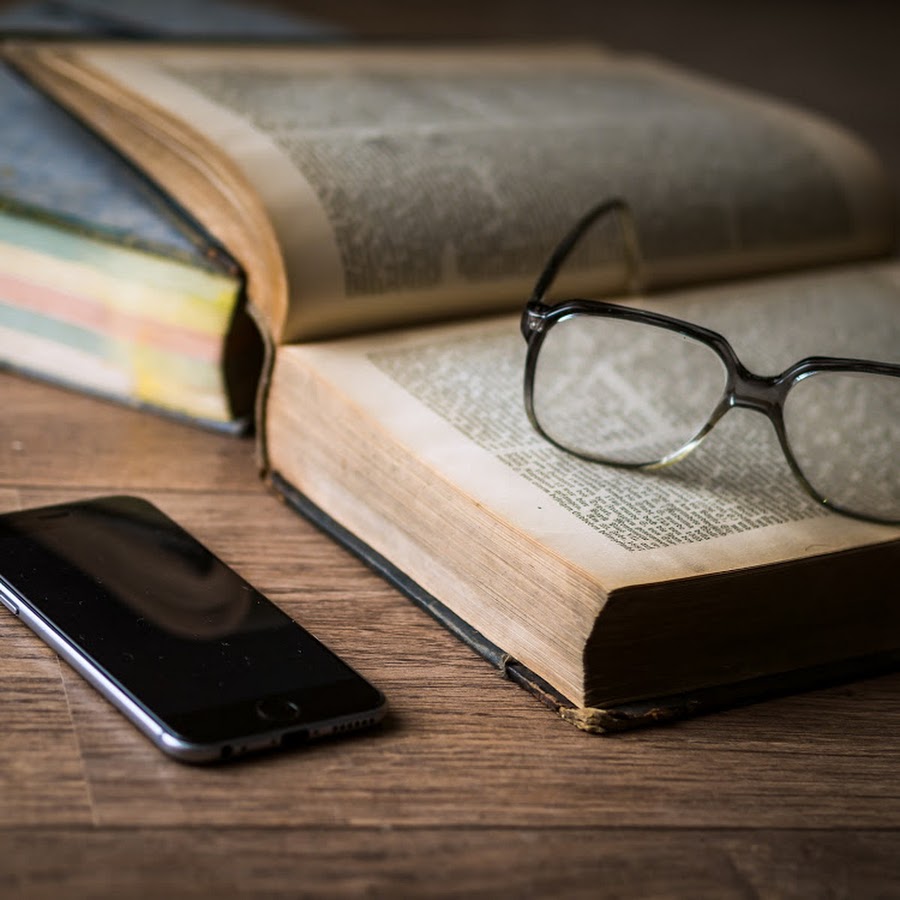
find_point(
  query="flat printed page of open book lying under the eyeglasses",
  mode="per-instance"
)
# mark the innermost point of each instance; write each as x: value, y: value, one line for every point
x: 452, y: 398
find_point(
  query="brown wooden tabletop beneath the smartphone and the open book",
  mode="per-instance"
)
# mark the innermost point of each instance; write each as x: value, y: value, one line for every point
x: 472, y: 787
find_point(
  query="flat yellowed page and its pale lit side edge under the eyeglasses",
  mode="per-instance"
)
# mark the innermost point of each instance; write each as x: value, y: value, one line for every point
x: 418, y: 443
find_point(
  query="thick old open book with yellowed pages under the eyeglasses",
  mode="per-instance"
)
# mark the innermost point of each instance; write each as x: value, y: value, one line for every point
x: 387, y: 205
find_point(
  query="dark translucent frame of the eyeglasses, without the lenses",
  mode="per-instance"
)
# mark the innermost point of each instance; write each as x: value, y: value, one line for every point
x: 743, y: 388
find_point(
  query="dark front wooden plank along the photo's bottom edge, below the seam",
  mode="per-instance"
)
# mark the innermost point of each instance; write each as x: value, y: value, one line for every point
x: 511, y: 861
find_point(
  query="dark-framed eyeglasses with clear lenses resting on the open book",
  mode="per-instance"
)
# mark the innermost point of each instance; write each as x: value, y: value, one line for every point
x: 640, y: 390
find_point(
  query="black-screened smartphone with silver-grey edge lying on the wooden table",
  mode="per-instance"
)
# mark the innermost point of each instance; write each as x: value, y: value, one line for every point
x: 199, y: 660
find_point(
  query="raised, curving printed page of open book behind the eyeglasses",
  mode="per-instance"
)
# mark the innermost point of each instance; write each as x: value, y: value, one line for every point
x: 407, y: 184
